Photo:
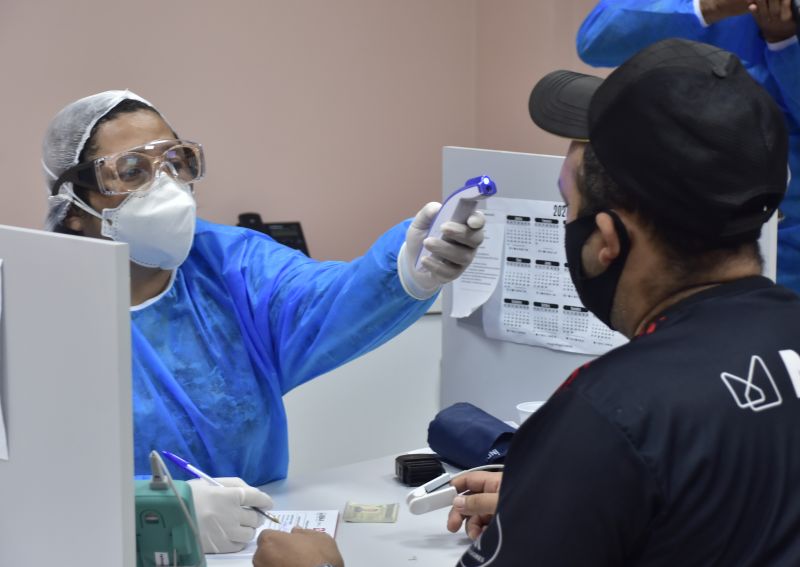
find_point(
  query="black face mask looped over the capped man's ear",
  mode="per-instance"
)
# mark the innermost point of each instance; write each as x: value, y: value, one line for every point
x: 597, y: 293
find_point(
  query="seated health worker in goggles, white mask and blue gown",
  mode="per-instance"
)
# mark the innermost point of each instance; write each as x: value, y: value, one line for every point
x: 224, y: 320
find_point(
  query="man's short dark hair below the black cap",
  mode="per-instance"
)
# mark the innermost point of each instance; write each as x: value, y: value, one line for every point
x: 686, y: 252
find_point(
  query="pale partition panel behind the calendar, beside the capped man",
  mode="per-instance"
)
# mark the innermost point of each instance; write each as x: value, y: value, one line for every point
x: 497, y: 375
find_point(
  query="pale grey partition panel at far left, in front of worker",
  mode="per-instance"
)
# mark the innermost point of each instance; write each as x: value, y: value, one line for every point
x: 66, y: 491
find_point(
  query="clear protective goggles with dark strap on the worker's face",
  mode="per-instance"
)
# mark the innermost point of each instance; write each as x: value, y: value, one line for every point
x: 134, y: 169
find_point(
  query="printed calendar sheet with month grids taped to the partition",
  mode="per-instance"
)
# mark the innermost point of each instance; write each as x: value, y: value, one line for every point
x: 535, y: 302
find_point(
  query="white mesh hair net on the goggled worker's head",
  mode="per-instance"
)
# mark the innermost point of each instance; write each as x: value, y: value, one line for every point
x: 64, y: 141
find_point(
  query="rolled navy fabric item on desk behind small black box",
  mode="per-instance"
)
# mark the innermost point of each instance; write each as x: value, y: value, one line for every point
x: 467, y: 437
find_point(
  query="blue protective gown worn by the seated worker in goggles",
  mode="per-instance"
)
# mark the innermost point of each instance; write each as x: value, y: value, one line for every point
x: 245, y: 321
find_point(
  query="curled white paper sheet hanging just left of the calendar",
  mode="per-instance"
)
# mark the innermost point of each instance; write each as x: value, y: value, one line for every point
x: 479, y: 280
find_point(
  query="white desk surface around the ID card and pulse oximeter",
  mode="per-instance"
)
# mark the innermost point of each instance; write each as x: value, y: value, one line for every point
x: 412, y: 540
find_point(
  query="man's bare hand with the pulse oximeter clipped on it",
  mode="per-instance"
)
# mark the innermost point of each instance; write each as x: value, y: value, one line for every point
x: 476, y: 503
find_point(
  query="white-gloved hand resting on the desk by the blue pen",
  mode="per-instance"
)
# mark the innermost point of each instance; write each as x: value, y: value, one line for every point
x: 225, y: 526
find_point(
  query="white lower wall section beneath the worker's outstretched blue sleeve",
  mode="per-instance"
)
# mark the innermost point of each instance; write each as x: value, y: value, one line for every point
x: 376, y: 405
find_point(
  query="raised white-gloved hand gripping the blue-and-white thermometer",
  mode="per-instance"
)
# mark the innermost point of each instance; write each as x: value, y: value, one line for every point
x: 450, y: 255
